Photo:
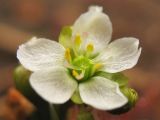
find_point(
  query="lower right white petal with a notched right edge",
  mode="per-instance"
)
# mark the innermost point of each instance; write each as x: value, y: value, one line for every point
x: 102, y: 94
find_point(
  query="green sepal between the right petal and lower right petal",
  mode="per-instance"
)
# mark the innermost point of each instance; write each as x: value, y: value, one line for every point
x: 119, y: 78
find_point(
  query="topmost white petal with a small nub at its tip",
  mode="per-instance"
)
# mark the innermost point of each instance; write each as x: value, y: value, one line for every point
x: 94, y: 26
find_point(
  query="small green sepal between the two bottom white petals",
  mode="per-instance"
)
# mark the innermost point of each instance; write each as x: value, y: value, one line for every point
x: 76, y: 98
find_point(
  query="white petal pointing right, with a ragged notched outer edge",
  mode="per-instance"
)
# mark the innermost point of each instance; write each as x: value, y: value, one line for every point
x: 121, y: 54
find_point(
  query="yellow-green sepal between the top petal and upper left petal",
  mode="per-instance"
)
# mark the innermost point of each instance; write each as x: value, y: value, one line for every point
x: 65, y: 36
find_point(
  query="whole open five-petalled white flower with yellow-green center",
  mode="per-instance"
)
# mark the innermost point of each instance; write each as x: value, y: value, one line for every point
x: 59, y: 70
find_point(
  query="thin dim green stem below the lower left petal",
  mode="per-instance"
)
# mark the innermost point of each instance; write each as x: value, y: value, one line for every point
x: 53, y: 113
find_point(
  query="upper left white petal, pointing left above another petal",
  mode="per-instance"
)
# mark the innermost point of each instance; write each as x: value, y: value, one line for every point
x: 40, y: 53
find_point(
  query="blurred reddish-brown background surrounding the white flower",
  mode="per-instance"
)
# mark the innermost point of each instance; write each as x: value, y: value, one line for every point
x: 22, y: 19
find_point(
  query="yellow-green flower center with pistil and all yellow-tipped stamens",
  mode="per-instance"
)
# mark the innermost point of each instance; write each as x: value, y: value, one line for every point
x: 79, y: 60
